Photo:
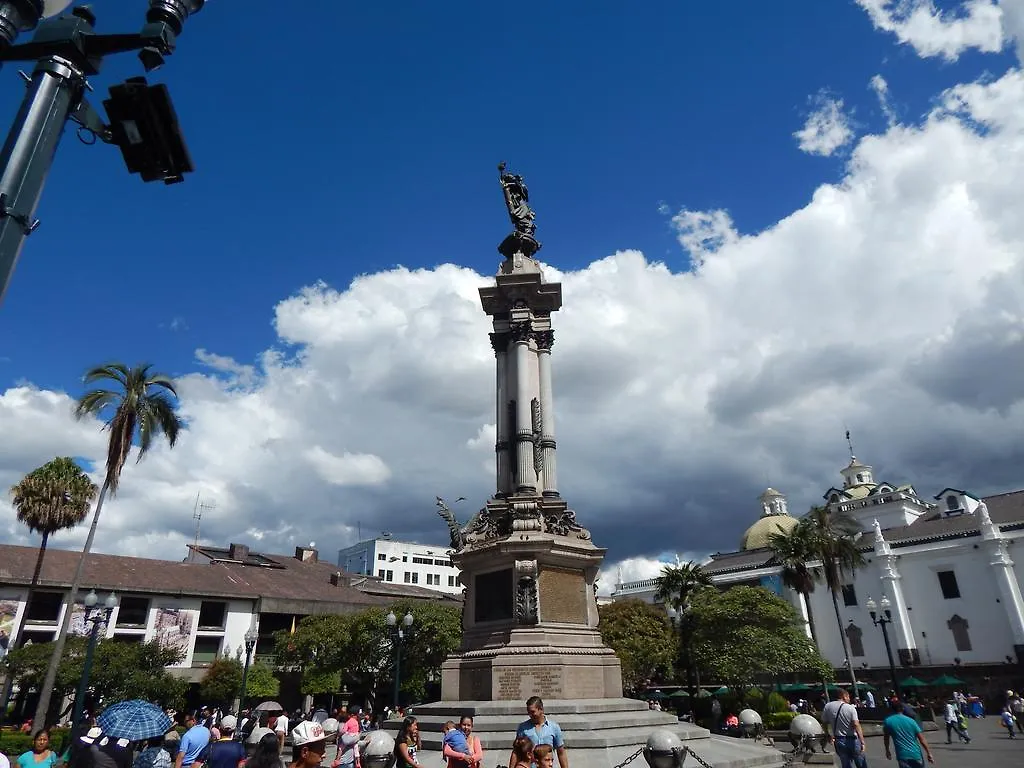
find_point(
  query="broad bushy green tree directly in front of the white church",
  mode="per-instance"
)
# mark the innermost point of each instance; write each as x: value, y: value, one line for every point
x: 747, y: 632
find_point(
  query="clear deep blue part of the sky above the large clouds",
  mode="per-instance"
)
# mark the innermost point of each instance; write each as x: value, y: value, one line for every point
x: 366, y: 136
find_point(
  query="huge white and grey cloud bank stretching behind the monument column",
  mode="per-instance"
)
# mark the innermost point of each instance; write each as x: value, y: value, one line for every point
x: 891, y: 302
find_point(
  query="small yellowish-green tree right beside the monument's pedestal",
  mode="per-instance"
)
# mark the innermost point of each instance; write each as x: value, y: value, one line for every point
x: 643, y: 638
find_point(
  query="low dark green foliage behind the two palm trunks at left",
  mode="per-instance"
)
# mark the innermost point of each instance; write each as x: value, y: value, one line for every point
x: 120, y: 670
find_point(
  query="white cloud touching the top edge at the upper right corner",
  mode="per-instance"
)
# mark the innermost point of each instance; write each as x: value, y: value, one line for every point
x: 932, y: 32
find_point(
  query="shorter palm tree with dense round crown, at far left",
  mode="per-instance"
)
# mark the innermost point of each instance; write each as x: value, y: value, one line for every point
x: 52, y: 498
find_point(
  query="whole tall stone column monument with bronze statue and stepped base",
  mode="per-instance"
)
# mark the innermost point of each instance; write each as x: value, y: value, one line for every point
x: 530, y: 616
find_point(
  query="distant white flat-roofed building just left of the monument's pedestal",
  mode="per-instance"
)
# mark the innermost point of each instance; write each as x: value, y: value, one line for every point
x: 403, y: 563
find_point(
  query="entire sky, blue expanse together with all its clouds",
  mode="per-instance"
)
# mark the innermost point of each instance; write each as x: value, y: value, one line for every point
x: 860, y: 286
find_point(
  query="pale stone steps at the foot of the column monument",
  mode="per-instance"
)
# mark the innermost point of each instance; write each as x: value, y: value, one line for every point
x: 600, y: 733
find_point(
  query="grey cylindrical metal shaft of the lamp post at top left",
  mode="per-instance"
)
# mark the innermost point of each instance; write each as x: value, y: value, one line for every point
x: 54, y: 95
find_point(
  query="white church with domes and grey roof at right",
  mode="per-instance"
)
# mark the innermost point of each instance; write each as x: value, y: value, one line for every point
x: 946, y: 565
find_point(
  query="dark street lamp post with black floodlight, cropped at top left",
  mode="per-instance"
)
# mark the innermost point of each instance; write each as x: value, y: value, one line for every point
x: 67, y: 51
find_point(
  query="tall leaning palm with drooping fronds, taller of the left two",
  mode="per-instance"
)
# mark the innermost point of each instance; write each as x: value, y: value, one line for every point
x: 140, y: 404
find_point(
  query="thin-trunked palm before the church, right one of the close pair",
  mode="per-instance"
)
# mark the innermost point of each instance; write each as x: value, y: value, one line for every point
x: 833, y: 539
